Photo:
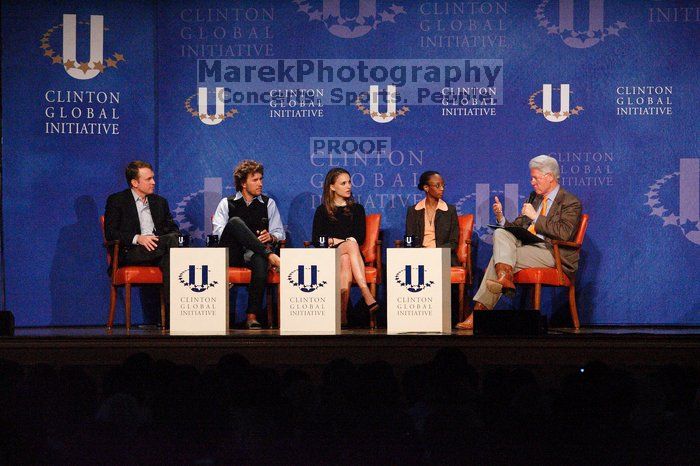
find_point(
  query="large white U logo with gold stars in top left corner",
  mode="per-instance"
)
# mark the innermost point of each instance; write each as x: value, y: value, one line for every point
x: 68, y: 60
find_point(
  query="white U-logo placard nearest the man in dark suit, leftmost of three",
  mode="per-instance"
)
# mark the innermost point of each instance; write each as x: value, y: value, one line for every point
x: 199, y: 291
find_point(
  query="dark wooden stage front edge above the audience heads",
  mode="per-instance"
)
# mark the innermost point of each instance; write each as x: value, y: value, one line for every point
x: 633, y: 348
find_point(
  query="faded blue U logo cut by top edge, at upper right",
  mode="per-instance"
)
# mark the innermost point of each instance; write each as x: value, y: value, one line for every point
x: 572, y: 36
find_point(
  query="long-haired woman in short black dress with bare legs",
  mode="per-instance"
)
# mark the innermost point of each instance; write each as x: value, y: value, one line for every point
x: 342, y: 221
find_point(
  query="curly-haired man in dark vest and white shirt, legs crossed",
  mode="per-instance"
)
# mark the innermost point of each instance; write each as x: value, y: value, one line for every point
x: 249, y: 224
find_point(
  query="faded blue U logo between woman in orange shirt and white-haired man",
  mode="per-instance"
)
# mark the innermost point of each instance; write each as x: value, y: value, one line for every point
x: 480, y: 202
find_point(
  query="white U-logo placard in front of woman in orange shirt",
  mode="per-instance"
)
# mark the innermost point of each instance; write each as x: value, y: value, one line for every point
x: 418, y: 290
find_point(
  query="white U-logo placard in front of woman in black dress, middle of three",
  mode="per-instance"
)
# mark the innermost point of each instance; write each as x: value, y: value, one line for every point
x: 310, y: 291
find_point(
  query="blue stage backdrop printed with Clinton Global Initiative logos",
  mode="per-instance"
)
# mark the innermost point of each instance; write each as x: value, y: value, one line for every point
x: 627, y: 142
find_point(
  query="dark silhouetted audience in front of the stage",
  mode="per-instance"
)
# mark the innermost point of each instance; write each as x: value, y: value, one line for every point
x: 442, y: 412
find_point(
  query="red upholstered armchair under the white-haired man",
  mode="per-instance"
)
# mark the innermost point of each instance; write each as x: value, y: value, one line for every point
x: 554, y: 276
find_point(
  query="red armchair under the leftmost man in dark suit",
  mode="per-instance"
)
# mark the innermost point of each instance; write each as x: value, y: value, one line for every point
x: 127, y: 276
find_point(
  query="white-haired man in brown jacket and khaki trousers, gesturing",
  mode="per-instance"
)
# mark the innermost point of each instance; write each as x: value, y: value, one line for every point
x: 554, y: 214
